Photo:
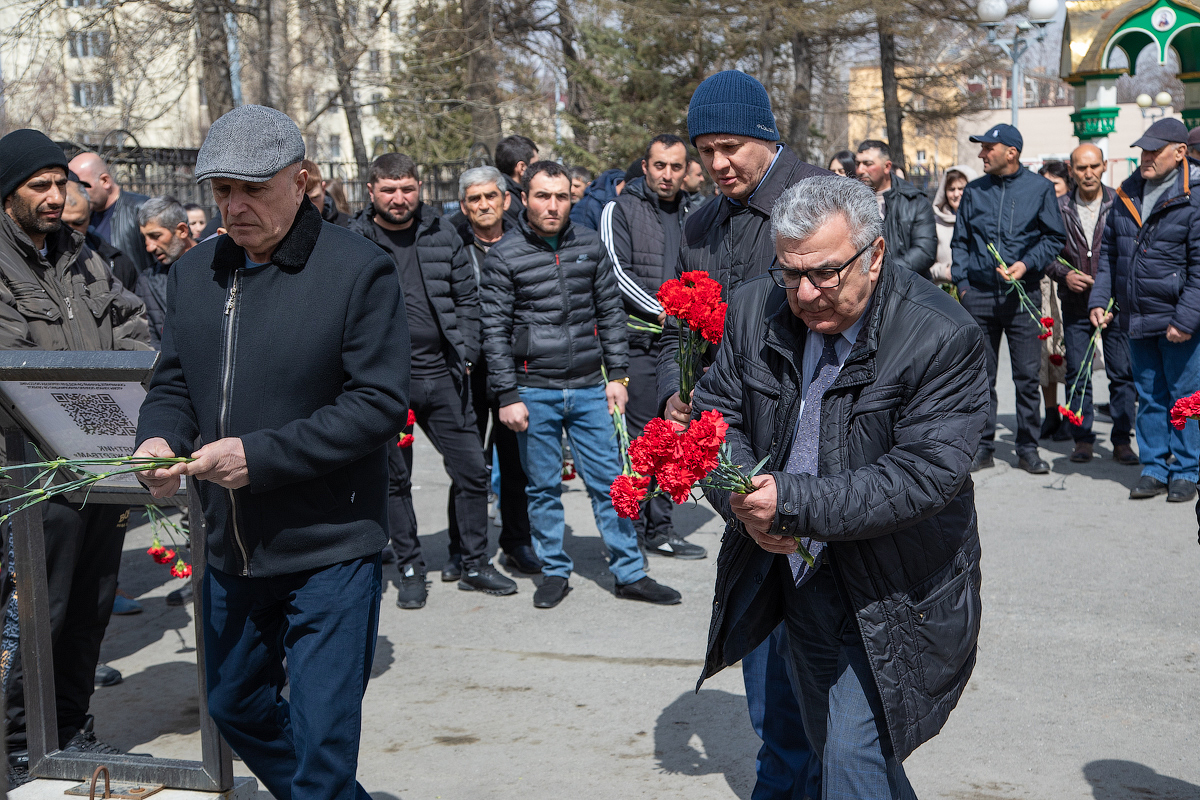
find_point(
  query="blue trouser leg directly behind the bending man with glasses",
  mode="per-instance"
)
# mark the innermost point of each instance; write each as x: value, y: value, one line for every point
x: 787, y: 767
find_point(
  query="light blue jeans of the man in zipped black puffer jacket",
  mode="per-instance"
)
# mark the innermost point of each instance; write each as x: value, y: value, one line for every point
x: 584, y: 414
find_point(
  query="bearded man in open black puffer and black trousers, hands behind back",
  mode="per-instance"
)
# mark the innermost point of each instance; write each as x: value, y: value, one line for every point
x: 442, y: 300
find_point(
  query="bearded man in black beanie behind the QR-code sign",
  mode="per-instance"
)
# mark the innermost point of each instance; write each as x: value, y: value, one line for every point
x: 69, y: 300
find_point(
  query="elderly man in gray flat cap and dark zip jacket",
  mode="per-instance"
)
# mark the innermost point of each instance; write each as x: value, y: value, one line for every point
x: 284, y: 375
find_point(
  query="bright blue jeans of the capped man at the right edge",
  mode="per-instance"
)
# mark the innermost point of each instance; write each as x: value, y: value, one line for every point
x: 1165, y: 372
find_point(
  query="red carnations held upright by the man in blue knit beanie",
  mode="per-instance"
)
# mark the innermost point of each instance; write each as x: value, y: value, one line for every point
x: 695, y: 302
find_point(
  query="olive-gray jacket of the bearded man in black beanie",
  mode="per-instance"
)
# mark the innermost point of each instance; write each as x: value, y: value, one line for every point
x: 67, y: 300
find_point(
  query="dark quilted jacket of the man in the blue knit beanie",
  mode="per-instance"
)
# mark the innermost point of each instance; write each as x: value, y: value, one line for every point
x: 709, y: 245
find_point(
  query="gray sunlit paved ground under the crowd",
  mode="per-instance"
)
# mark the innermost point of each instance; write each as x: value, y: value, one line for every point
x: 1085, y: 688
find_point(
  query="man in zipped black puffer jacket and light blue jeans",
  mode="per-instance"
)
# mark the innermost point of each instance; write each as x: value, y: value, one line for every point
x: 553, y: 322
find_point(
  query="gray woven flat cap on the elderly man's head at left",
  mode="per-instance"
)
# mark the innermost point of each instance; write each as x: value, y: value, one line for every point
x: 251, y: 143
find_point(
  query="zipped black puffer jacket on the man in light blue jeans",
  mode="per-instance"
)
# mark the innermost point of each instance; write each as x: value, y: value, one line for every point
x: 551, y: 317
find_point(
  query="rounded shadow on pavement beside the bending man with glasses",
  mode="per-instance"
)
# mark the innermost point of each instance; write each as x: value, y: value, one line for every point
x: 727, y: 743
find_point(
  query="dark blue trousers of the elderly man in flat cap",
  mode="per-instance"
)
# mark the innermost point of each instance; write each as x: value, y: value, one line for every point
x: 314, y: 631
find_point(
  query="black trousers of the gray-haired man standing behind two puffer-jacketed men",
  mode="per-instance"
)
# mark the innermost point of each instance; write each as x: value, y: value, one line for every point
x: 514, y: 504
